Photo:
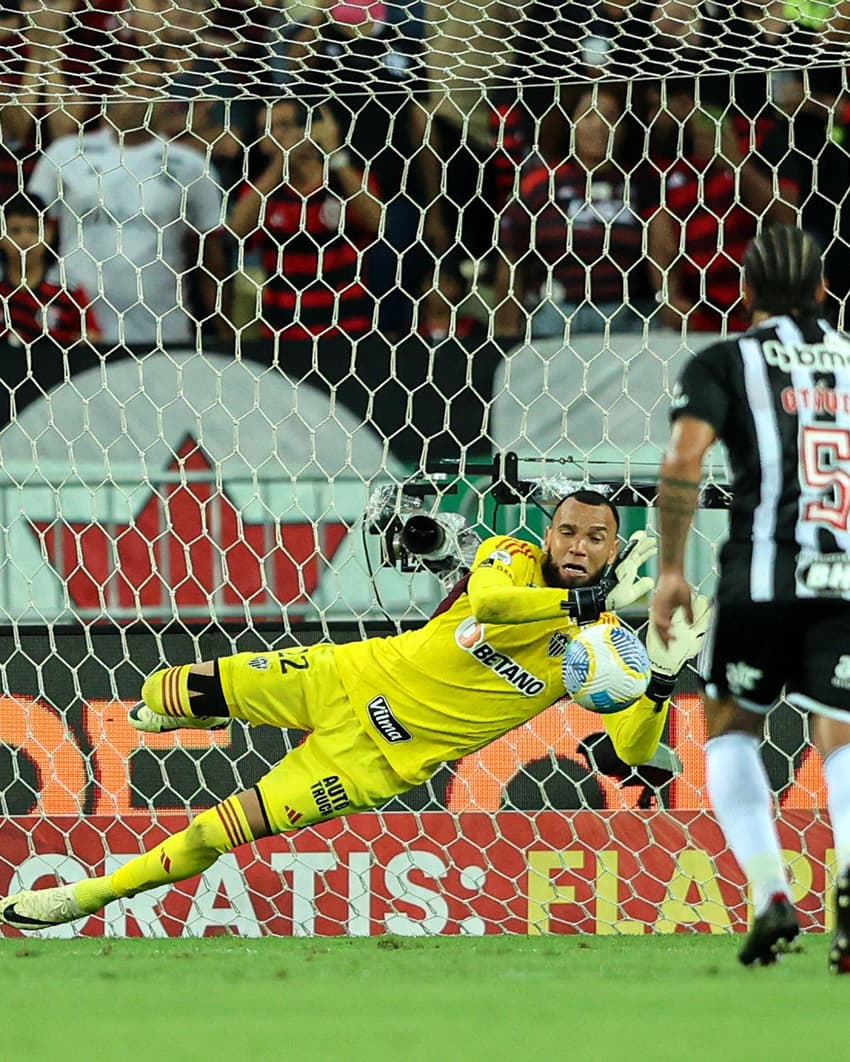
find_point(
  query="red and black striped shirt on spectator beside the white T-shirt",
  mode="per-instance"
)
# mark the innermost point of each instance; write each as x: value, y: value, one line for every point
x: 313, y: 259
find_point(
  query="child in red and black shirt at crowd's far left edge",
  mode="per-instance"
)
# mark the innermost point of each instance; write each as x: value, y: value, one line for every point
x: 33, y: 307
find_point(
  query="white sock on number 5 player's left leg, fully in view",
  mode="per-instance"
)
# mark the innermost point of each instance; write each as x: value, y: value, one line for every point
x: 741, y: 796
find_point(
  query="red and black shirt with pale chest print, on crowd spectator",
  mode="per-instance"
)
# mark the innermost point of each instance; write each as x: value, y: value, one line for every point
x: 587, y: 230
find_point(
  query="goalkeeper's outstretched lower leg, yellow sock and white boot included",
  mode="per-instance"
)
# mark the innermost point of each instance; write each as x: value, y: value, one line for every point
x: 236, y: 821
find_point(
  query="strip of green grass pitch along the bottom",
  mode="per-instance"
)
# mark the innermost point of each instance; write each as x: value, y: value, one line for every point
x: 576, y: 999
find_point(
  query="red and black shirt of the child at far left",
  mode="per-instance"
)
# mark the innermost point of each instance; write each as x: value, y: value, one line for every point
x: 29, y: 315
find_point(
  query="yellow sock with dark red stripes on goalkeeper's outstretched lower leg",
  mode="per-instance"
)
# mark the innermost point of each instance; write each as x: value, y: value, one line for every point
x: 189, y: 853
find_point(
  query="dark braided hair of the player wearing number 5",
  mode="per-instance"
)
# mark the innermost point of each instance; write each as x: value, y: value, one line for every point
x: 785, y: 267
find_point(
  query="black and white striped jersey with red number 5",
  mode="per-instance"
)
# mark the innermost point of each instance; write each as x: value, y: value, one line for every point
x: 779, y: 399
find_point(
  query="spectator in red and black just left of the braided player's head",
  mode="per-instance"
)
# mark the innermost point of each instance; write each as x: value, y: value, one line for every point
x: 712, y: 198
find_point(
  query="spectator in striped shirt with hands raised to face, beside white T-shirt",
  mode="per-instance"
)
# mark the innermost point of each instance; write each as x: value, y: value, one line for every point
x: 312, y: 214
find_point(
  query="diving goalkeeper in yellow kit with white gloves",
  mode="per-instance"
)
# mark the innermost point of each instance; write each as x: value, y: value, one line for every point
x: 384, y: 714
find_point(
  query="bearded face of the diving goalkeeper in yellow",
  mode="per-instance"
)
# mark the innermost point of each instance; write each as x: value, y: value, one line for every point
x: 580, y: 545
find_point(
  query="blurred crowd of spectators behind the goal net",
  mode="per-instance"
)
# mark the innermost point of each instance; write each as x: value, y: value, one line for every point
x: 177, y: 169
